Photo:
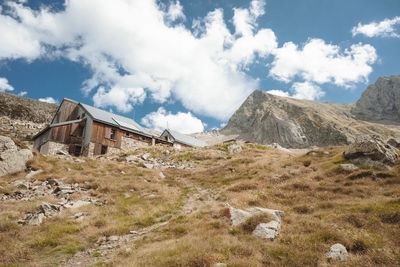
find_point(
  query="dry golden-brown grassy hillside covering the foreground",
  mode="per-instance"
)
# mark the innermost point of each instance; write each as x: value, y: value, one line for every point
x: 182, y: 219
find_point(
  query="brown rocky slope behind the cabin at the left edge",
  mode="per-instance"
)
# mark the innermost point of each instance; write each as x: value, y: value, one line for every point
x: 23, y: 117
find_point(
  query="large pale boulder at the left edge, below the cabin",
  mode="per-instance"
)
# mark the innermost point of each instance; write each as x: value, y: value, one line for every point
x: 12, y: 159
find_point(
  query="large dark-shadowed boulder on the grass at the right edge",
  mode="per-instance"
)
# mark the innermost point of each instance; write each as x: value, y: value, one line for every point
x: 371, y: 151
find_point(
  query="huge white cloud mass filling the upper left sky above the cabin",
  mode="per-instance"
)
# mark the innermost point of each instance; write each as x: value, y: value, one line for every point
x: 132, y: 44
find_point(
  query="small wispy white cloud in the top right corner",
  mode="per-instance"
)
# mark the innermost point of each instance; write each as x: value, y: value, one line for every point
x: 385, y: 28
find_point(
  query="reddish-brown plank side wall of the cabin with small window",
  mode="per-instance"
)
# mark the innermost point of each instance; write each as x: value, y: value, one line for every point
x: 101, y: 135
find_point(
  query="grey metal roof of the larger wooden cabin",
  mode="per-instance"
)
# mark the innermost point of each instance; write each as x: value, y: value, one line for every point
x: 115, y: 120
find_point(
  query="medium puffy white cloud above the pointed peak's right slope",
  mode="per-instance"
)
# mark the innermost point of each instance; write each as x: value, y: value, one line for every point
x: 320, y: 63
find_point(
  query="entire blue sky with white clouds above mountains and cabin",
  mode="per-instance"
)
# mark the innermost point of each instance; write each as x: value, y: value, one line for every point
x: 188, y: 65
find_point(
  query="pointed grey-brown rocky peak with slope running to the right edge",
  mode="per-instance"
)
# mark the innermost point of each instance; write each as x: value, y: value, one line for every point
x: 266, y: 118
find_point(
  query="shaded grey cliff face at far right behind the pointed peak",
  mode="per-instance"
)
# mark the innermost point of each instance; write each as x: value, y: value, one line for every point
x: 380, y: 102
